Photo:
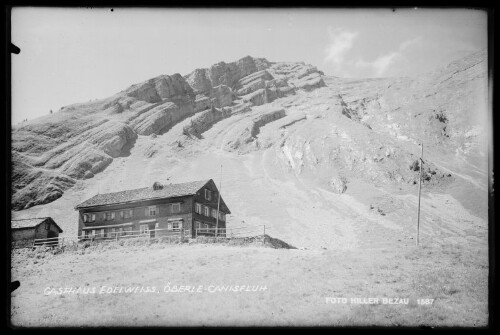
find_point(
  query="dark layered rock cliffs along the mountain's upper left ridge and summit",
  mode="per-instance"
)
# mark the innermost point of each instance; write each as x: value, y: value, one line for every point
x: 83, y: 139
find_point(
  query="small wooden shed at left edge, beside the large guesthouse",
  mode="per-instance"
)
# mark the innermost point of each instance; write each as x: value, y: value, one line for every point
x: 34, y: 228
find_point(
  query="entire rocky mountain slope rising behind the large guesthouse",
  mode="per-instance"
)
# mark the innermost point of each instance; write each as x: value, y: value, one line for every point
x: 315, y: 158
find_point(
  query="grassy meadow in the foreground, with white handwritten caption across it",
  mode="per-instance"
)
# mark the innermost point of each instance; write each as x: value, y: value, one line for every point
x: 297, y: 283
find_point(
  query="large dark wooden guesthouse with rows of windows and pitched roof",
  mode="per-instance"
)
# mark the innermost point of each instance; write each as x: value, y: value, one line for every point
x: 166, y: 208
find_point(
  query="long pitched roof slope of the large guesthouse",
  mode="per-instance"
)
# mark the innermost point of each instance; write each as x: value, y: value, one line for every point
x: 145, y: 193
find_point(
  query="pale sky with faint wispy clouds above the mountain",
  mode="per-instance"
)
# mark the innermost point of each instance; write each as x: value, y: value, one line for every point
x: 71, y: 55
